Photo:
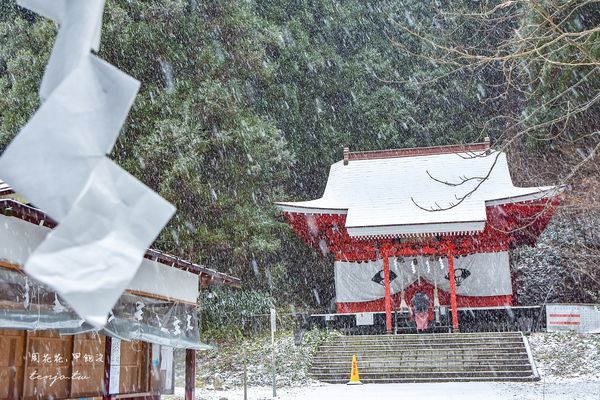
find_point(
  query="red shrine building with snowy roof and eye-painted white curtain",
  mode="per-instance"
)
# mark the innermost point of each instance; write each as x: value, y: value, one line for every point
x: 422, y: 232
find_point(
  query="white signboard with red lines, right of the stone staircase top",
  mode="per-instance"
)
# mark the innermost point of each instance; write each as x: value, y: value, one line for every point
x: 582, y: 318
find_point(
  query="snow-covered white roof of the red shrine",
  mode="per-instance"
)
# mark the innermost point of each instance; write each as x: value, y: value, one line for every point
x: 393, y: 192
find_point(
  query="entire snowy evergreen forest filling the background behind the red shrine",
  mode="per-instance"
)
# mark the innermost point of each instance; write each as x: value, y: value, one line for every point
x: 244, y: 103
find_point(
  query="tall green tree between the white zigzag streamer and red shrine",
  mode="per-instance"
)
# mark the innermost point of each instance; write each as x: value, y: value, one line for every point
x: 192, y: 135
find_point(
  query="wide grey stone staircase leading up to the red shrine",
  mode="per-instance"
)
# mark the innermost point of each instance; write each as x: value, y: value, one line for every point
x: 445, y: 357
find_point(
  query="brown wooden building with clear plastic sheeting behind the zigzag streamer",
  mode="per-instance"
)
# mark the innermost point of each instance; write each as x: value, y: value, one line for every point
x: 48, y: 352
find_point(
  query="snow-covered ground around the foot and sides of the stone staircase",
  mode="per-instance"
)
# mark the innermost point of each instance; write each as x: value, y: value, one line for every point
x: 569, y: 365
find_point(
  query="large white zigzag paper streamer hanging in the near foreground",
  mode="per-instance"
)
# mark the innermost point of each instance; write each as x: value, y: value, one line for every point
x: 107, y: 218
